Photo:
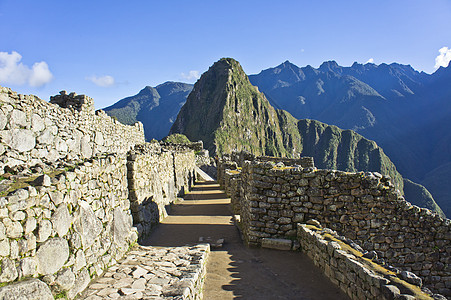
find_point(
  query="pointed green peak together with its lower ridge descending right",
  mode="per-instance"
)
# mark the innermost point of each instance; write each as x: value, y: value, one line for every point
x: 227, y: 113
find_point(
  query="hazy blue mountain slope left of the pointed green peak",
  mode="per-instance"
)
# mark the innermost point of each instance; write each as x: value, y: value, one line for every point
x: 155, y: 107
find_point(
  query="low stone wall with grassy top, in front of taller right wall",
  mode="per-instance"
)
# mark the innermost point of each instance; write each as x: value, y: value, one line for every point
x: 356, y: 275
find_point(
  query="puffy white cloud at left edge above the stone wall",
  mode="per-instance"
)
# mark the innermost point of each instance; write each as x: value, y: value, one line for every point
x: 12, y: 71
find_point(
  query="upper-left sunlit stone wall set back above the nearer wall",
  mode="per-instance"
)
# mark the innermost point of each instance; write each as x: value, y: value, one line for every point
x: 33, y: 131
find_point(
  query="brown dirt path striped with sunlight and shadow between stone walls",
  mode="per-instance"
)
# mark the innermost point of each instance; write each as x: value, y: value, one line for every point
x: 235, y: 271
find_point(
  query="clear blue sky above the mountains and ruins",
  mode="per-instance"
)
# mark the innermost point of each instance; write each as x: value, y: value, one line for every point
x: 111, y: 49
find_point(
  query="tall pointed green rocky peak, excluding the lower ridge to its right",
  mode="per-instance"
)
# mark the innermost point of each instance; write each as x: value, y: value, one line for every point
x: 227, y: 113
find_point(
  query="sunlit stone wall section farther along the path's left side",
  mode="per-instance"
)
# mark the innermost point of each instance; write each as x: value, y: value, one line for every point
x: 157, y: 176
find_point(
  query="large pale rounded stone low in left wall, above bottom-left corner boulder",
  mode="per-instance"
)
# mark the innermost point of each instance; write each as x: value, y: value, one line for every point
x: 52, y: 255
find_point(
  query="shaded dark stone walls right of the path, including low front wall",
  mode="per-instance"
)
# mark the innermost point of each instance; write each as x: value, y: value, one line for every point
x: 351, y: 215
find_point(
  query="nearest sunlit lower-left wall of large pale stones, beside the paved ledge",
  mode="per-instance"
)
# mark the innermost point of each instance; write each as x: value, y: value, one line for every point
x: 67, y: 227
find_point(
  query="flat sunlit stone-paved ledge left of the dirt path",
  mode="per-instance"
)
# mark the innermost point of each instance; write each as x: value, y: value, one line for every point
x: 152, y: 273
